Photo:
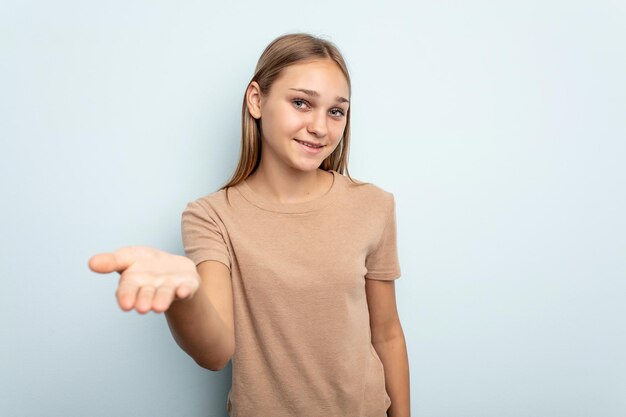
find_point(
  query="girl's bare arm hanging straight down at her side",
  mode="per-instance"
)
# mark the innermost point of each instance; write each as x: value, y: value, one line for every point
x: 388, y: 340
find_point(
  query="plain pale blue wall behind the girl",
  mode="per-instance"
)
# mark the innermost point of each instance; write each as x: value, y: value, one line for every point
x: 499, y: 127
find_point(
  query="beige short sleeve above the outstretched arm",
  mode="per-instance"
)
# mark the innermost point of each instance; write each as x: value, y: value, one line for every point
x: 203, y: 240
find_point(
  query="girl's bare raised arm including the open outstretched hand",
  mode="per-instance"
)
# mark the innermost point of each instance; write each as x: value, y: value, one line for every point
x: 198, y: 303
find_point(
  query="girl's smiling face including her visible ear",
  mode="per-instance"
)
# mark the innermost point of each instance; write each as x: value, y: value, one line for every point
x: 307, y: 103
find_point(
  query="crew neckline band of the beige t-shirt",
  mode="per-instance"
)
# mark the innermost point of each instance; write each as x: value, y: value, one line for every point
x: 264, y: 203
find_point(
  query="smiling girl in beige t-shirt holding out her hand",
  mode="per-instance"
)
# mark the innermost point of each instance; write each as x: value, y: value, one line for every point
x: 290, y: 267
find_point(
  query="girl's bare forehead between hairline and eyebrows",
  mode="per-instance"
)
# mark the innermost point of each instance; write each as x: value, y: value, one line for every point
x: 323, y: 76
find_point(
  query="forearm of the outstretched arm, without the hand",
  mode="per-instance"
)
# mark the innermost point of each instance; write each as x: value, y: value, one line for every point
x: 200, y: 331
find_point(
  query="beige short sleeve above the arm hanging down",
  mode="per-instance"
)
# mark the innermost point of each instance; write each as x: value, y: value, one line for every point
x: 382, y: 262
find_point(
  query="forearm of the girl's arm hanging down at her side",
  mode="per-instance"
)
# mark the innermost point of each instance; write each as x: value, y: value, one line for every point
x: 393, y: 354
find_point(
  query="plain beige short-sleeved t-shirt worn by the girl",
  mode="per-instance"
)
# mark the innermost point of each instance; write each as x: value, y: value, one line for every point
x: 302, y: 335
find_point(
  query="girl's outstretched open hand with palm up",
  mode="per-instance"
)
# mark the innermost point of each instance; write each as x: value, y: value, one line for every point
x: 150, y: 279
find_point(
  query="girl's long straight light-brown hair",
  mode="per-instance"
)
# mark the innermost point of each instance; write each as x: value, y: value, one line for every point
x: 286, y: 50
